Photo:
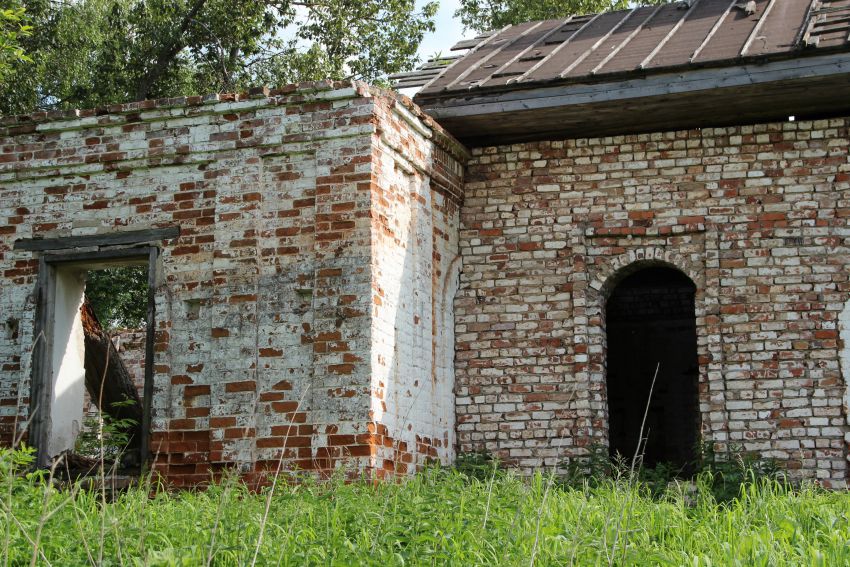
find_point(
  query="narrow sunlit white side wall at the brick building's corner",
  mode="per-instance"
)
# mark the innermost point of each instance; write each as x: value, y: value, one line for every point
x: 415, y: 221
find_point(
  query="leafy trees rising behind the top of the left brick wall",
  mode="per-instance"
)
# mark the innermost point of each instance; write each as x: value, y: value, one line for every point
x: 88, y: 53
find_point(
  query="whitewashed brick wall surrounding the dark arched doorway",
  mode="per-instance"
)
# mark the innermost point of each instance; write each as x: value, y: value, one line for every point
x: 756, y: 216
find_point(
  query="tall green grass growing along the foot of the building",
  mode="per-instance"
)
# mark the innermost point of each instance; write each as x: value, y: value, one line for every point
x: 434, y: 518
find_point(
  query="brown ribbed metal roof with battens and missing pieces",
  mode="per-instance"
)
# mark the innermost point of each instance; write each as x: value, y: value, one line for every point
x: 642, y: 40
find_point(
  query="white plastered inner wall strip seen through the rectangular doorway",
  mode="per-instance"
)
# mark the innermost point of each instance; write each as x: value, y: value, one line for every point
x: 67, y: 360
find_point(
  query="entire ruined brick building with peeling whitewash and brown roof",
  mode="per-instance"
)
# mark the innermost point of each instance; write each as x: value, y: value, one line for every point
x: 342, y: 278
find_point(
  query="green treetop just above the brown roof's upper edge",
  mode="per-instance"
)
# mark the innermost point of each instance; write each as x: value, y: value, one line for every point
x: 485, y: 15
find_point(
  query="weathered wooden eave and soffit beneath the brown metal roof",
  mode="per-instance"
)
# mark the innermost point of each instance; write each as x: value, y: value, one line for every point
x: 753, y: 91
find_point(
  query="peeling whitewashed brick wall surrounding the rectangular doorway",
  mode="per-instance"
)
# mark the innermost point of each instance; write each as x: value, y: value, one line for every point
x: 263, y: 302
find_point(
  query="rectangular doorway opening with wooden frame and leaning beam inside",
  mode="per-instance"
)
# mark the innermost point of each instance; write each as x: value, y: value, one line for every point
x: 87, y: 401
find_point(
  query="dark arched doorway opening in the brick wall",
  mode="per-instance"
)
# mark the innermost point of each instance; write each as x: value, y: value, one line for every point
x: 651, y: 323
